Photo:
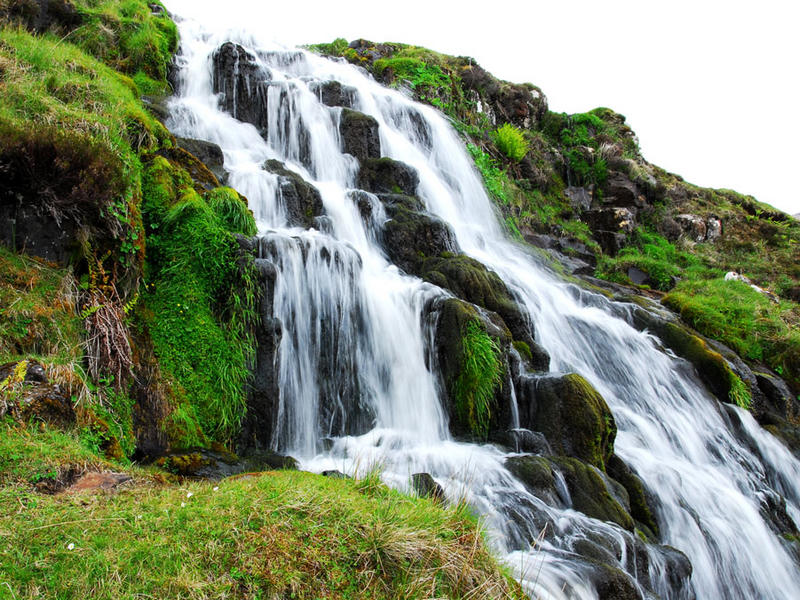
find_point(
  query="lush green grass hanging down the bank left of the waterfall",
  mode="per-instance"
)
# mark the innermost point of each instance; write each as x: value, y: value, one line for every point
x: 198, y: 305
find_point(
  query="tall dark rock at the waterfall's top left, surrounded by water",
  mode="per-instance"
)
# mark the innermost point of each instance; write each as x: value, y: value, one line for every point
x: 242, y: 84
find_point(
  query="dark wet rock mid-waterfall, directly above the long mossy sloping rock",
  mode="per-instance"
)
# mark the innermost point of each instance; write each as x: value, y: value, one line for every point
x: 409, y: 237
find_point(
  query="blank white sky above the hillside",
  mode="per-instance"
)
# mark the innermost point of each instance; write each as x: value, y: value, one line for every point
x: 711, y: 87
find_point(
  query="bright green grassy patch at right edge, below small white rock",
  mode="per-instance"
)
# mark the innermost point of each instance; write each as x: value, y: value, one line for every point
x: 732, y: 312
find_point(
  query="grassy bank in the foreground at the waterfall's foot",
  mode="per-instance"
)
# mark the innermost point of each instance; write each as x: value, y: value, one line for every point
x: 270, y: 535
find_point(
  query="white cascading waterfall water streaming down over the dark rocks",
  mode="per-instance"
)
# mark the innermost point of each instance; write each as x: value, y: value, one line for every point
x: 354, y: 365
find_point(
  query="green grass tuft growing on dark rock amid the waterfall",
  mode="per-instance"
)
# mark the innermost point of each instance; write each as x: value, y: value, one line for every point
x: 481, y: 372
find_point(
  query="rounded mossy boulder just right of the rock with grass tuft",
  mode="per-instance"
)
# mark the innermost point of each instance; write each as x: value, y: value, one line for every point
x: 571, y: 414
